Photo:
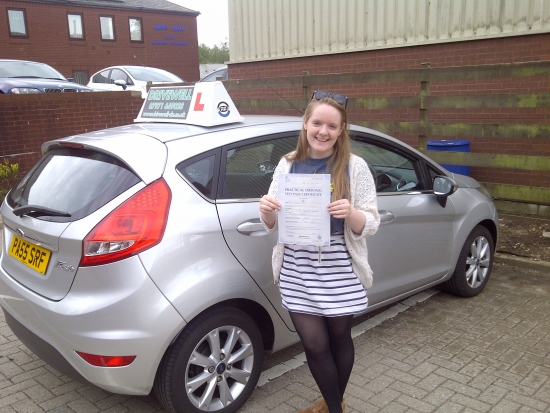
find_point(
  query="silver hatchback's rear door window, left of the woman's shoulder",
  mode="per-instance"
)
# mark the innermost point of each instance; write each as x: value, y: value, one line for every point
x: 248, y: 169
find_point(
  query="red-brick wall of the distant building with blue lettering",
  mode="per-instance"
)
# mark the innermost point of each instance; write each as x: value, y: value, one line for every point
x: 49, y: 42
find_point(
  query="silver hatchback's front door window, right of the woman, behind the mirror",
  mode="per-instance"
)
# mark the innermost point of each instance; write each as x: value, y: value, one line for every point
x: 392, y: 170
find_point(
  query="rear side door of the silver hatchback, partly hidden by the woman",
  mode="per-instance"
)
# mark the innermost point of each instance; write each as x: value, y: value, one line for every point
x: 245, y: 175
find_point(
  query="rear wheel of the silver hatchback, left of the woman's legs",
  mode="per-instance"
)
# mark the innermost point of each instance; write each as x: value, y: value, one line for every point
x: 214, y: 364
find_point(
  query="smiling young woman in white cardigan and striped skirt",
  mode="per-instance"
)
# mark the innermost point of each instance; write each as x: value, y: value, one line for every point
x: 323, y: 288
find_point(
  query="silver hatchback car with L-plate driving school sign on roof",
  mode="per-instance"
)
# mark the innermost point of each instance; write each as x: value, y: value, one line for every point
x: 134, y: 258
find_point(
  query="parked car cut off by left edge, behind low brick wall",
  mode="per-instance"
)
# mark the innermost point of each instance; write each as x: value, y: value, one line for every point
x: 22, y: 77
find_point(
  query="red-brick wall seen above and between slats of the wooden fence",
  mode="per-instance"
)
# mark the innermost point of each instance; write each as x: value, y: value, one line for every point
x: 513, y: 49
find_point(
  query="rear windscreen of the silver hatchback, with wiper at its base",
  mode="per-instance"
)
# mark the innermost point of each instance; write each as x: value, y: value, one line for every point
x: 74, y: 181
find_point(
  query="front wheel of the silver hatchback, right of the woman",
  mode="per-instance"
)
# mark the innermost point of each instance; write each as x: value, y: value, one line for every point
x: 474, y: 264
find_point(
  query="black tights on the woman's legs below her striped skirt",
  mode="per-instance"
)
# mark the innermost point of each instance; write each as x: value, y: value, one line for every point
x: 329, y: 351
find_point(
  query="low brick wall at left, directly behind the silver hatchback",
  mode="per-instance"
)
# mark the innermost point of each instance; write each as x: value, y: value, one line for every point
x: 27, y: 121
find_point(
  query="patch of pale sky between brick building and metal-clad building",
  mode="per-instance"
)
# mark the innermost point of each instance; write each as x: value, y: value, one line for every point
x: 212, y: 24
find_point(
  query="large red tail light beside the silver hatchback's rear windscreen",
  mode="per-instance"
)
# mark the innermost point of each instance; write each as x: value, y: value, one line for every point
x: 135, y: 226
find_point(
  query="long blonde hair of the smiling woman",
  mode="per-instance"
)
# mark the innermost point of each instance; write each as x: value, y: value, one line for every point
x: 337, y: 164
